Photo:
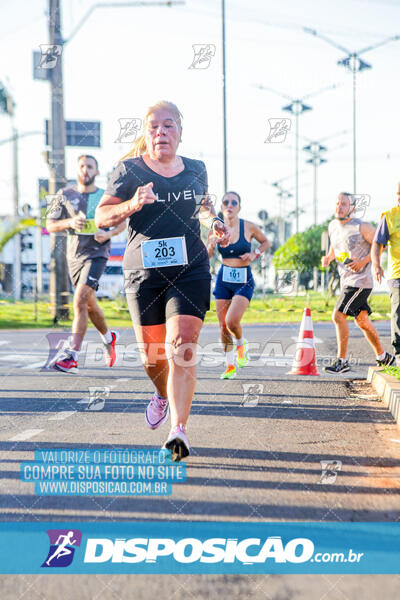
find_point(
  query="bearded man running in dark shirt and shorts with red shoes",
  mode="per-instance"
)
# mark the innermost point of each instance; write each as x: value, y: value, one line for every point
x: 88, y: 249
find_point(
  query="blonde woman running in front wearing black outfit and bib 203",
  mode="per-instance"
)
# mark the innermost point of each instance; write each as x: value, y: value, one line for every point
x: 166, y: 266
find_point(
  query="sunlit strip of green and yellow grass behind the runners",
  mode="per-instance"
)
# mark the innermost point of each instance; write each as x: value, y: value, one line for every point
x: 270, y: 309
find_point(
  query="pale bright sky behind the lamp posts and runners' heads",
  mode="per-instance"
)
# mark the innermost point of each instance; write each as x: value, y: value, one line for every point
x: 125, y: 59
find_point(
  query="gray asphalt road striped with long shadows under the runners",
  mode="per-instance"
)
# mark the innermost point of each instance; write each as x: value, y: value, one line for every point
x: 255, y: 457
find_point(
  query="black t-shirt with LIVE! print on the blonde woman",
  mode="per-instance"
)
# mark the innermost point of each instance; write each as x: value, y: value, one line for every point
x: 175, y: 214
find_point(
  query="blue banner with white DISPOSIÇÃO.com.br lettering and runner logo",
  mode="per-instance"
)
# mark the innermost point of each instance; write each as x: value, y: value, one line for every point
x: 200, y: 547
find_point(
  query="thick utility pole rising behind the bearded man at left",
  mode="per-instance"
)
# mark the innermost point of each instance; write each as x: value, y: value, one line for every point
x: 59, y: 288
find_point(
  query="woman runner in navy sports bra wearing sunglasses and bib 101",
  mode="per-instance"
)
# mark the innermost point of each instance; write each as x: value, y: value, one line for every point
x: 235, y: 284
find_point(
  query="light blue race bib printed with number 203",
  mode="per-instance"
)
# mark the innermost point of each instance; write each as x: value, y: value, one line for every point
x: 168, y: 252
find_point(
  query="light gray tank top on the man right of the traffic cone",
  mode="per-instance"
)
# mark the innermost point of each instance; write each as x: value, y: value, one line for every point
x: 348, y: 242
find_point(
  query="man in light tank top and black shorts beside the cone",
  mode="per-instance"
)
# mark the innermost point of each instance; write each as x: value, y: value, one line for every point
x: 351, y: 241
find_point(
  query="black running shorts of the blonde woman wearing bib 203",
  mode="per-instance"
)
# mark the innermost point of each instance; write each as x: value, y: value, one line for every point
x: 154, y: 306
